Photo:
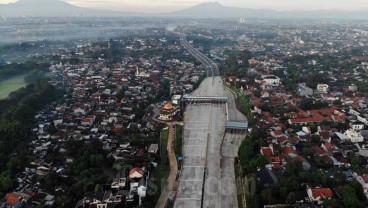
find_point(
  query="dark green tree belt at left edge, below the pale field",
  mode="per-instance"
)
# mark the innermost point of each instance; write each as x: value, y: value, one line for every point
x: 16, y: 118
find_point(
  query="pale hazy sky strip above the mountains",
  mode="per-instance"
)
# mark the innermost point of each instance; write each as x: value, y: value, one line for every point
x: 171, y: 5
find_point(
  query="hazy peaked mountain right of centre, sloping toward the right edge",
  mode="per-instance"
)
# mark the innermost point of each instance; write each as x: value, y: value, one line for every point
x: 216, y: 10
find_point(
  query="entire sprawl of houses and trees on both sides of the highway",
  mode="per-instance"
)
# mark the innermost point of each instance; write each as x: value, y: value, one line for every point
x: 100, y: 141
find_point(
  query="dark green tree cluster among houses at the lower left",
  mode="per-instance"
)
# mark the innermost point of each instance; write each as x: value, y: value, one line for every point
x: 83, y: 176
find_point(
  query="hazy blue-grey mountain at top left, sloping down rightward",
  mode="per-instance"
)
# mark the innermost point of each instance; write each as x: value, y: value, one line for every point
x: 48, y: 8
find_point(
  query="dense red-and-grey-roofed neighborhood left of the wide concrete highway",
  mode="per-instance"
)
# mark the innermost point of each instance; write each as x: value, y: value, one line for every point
x: 112, y: 108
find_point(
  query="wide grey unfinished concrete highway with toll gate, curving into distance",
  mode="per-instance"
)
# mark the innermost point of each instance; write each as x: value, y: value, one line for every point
x: 205, y: 177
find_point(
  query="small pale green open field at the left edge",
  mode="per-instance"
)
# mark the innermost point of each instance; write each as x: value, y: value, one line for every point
x: 11, y: 84
